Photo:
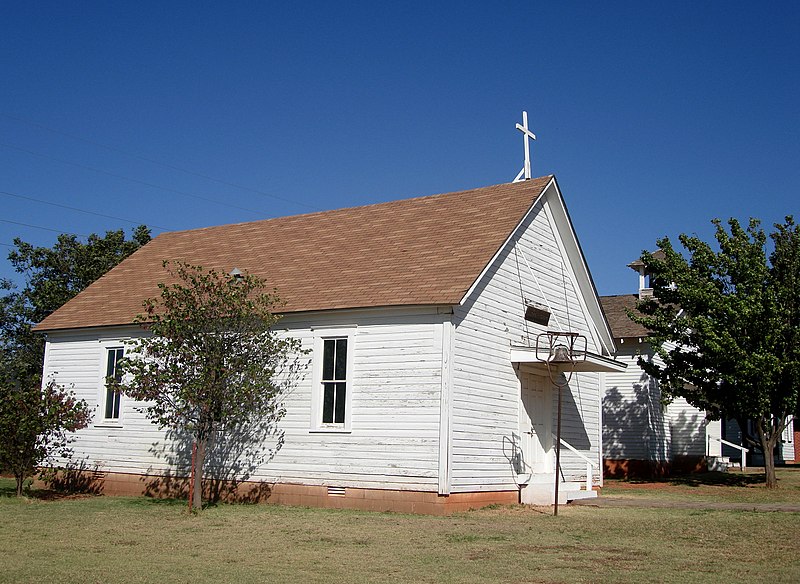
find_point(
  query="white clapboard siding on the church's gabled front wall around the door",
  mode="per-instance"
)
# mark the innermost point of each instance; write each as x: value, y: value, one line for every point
x: 486, y: 388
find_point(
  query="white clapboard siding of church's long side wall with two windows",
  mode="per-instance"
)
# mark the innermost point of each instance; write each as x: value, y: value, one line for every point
x: 396, y: 387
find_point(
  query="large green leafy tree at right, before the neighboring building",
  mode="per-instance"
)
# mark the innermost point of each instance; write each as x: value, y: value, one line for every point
x: 726, y: 325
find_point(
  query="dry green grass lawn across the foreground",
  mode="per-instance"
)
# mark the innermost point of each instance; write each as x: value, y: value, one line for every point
x: 108, y: 539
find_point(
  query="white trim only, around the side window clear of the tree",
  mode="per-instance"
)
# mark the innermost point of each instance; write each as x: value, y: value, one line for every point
x: 320, y: 335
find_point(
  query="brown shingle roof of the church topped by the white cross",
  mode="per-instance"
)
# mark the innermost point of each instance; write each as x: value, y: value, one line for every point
x: 422, y: 251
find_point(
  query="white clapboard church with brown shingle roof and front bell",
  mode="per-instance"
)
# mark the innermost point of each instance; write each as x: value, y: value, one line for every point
x: 440, y: 405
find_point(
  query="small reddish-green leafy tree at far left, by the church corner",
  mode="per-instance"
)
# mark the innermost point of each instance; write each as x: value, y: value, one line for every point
x: 35, y: 424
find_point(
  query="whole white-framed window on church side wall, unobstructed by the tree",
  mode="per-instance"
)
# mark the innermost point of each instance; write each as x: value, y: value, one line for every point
x: 333, y: 380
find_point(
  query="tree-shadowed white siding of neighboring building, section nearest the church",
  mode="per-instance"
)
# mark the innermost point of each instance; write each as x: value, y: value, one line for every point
x: 634, y: 423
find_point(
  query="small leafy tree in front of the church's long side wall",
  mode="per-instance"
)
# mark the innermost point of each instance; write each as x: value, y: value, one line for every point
x: 213, y: 363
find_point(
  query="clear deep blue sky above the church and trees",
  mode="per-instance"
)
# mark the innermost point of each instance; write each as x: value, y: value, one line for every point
x: 654, y: 118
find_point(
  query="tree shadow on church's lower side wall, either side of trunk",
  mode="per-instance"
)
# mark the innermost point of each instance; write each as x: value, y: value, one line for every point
x: 232, y: 458
